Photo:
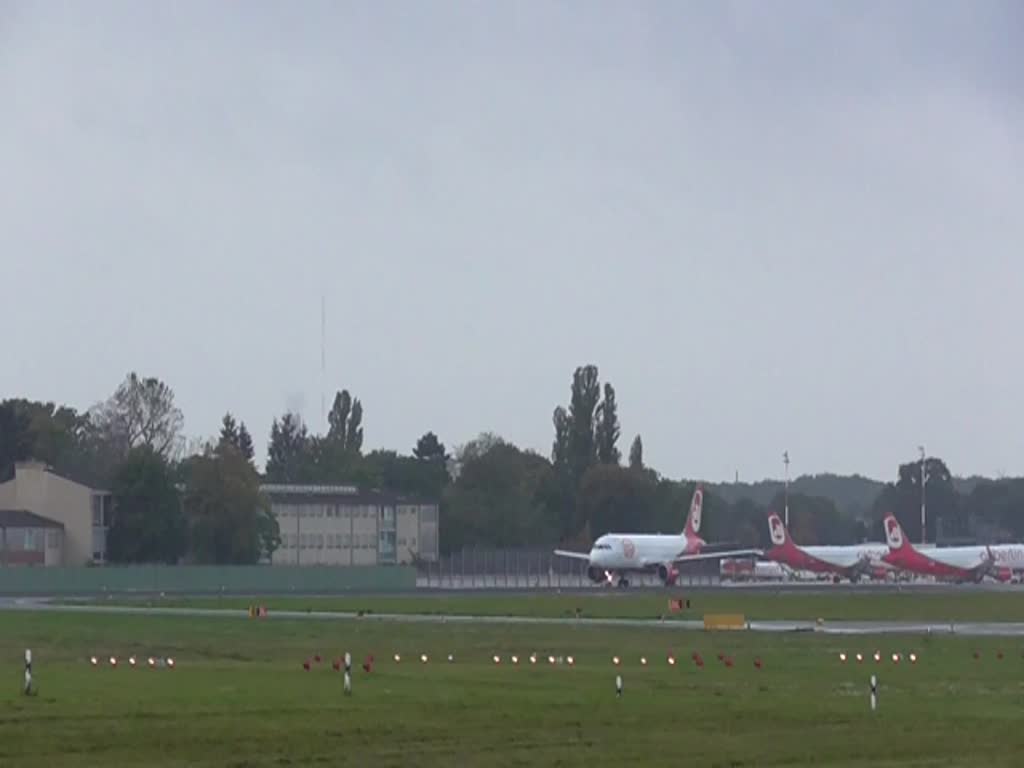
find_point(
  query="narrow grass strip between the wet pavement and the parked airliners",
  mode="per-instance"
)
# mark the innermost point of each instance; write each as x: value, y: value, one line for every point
x: 909, y: 606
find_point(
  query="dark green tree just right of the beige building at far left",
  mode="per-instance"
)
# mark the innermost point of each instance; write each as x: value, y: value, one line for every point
x: 149, y: 522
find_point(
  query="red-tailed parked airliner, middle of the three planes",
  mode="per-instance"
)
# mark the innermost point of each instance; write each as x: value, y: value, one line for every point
x: 851, y: 562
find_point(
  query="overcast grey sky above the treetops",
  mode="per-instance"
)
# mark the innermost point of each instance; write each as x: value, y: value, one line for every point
x: 772, y: 225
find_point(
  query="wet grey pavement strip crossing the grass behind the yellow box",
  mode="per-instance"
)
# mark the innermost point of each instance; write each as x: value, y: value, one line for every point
x: 1006, y: 629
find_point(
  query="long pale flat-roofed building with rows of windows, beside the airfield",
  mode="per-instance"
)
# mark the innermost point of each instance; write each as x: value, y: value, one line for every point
x: 344, y: 526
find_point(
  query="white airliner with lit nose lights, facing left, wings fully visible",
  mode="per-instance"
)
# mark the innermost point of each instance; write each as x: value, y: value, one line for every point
x: 616, y: 556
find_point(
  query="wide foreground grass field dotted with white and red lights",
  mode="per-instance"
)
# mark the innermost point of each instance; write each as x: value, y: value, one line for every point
x: 239, y: 697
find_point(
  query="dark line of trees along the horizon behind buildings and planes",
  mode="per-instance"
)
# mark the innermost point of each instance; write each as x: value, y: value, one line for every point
x: 178, y: 502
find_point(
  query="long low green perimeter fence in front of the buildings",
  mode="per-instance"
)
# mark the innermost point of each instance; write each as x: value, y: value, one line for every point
x: 204, y: 580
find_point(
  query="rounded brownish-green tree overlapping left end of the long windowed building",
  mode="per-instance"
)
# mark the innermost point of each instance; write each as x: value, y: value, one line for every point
x: 230, y: 520
